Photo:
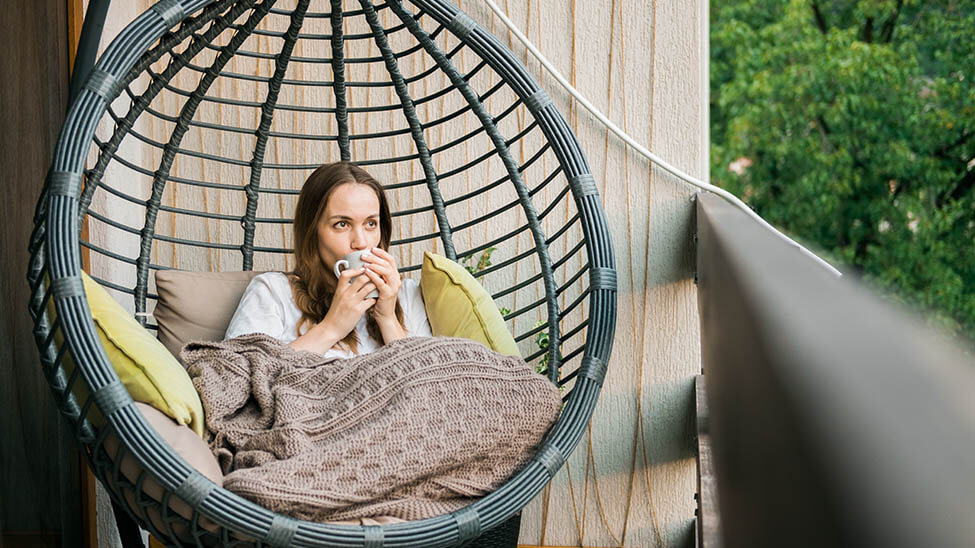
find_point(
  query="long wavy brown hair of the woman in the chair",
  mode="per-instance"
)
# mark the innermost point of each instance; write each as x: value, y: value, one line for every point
x: 312, y: 282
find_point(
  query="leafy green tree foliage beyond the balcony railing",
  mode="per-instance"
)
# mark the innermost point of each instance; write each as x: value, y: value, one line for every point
x: 851, y: 125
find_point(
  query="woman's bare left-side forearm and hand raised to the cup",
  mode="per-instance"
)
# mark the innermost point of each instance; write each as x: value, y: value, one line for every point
x: 348, y: 305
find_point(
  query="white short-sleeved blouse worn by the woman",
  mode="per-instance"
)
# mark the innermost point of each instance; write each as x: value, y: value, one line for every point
x: 268, y: 306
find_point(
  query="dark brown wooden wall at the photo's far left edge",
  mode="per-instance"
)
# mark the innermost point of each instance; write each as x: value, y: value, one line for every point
x: 39, y: 480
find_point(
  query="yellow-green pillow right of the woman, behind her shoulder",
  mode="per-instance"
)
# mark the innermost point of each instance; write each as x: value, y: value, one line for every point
x: 457, y: 306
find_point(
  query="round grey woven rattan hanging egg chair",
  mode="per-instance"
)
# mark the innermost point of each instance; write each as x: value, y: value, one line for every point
x: 209, y: 114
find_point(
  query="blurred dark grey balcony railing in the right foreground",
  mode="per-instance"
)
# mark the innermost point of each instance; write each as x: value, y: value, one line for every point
x: 833, y: 418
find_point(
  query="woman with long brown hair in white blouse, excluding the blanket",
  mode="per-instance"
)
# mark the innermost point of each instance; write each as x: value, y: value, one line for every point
x: 341, y: 209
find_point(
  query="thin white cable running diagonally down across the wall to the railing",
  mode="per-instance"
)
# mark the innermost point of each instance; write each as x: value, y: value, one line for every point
x: 643, y: 150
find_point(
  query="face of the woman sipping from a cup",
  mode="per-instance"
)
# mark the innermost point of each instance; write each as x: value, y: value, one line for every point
x: 349, y: 223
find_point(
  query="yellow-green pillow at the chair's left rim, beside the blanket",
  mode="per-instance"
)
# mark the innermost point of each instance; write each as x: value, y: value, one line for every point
x: 149, y: 372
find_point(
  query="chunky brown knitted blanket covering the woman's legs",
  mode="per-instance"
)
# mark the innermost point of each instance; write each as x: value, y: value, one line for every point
x: 415, y: 429
